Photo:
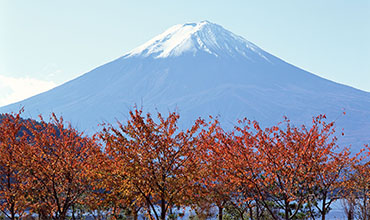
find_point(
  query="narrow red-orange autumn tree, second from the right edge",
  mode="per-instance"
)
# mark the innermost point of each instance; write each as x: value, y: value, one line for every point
x: 325, y: 164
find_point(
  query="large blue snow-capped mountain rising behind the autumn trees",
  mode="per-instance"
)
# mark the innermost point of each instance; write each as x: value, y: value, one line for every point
x: 201, y: 69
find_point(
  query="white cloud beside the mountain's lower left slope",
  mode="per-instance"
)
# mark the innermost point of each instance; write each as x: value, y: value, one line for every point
x: 14, y: 89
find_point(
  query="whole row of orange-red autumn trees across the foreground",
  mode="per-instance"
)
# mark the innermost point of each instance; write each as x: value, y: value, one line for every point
x: 149, y: 167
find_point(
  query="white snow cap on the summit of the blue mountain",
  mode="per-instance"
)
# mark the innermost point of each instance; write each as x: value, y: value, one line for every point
x: 192, y: 38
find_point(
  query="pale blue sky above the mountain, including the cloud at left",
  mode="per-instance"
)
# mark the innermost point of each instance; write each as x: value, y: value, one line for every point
x: 44, y: 43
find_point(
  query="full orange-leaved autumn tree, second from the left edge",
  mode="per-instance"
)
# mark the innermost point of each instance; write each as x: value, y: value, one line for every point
x: 58, y: 165
